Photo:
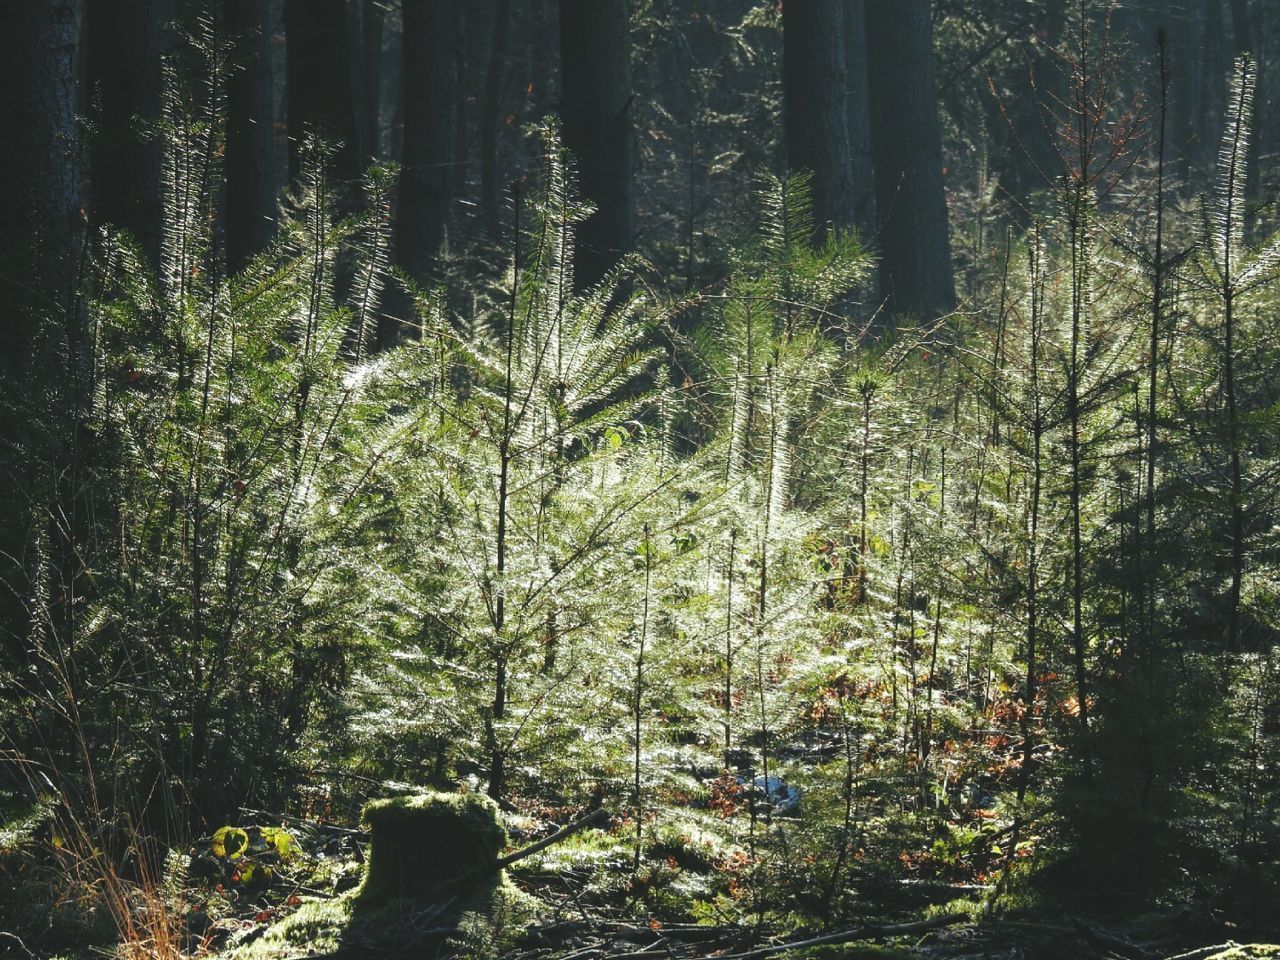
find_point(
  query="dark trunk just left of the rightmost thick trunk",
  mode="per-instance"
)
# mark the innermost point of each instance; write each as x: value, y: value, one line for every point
x: 816, y: 107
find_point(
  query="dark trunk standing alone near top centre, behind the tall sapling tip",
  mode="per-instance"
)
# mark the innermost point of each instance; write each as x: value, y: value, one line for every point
x: 596, y: 109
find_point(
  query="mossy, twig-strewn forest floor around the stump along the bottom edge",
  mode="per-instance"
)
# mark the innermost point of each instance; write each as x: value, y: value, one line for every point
x: 286, y: 893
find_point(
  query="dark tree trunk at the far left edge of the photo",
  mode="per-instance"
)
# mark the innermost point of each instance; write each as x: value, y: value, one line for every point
x: 42, y: 227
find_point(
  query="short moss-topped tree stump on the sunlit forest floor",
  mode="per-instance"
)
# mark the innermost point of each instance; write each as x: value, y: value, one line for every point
x: 420, y: 845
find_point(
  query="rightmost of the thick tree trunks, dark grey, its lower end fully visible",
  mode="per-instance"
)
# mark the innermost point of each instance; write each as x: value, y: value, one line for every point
x: 907, y: 149
